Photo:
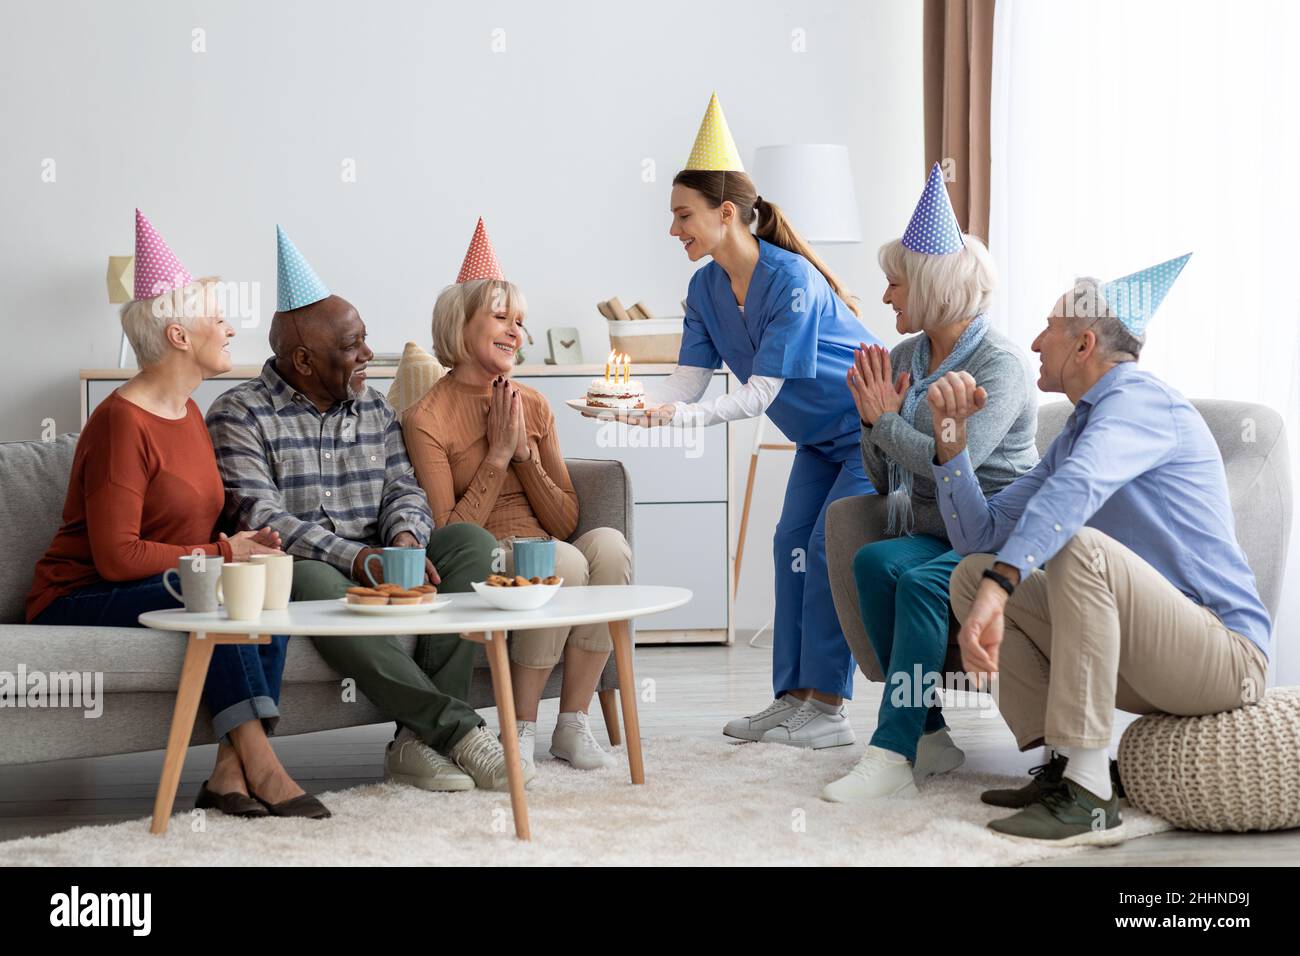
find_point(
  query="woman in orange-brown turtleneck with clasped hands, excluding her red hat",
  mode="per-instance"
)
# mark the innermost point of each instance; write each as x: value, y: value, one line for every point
x: 484, y: 448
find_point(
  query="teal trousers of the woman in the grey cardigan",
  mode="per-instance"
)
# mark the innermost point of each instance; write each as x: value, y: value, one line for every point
x: 903, y: 594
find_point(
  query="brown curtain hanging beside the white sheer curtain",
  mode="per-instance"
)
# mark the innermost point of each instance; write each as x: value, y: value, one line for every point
x: 959, y: 68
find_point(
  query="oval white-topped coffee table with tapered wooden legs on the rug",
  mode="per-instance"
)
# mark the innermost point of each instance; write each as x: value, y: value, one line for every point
x: 470, y: 616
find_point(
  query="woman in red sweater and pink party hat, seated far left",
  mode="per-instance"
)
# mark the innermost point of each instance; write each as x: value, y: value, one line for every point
x: 145, y: 491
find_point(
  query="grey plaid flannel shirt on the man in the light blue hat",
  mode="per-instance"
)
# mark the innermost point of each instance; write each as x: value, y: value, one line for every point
x: 331, y: 485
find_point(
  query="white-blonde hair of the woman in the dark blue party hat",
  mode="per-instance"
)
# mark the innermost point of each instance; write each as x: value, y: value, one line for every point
x: 942, y: 289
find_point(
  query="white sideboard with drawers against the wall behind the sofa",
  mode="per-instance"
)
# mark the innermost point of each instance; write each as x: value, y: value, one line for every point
x: 681, y: 485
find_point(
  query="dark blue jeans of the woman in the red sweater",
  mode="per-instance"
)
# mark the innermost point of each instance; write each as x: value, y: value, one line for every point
x: 244, y: 680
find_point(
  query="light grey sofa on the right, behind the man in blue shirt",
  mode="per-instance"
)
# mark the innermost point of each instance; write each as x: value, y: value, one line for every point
x: 1253, y: 442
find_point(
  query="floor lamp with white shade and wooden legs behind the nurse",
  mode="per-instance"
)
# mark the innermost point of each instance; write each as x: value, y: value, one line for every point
x: 813, y: 184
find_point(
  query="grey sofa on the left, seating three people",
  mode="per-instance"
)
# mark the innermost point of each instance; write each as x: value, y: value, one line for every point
x: 142, y: 668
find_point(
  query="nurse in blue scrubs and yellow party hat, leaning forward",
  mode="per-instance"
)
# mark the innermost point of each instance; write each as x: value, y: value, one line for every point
x: 785, y: 326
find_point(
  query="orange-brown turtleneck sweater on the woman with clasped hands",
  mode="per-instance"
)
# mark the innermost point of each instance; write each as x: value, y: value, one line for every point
x: 447, y: 438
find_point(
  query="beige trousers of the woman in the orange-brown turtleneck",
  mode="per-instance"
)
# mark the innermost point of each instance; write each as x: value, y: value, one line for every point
x: 603, y: 556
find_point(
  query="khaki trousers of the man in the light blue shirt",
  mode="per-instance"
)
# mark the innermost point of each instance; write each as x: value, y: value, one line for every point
x: 1100, y: 629
